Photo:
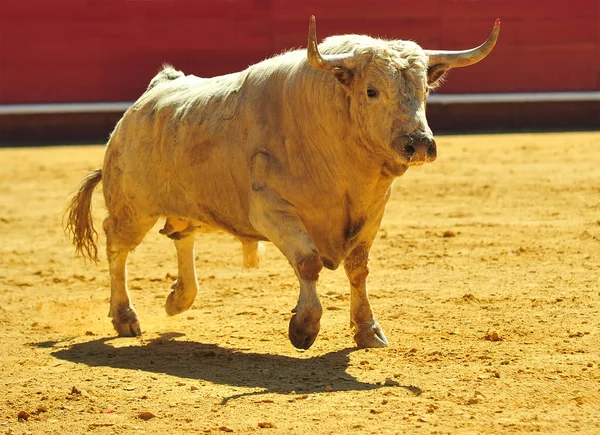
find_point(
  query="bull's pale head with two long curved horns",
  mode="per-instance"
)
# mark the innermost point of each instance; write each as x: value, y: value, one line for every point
x: 388, y: 83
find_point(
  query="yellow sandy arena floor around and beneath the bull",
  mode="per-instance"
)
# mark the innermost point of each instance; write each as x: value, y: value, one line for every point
x: 484, y: 277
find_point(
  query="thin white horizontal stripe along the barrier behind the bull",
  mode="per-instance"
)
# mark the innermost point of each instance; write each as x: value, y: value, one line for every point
x: 121, y: 106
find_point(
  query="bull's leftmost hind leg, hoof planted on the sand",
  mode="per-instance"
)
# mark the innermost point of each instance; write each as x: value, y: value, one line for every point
x: 123, y: 234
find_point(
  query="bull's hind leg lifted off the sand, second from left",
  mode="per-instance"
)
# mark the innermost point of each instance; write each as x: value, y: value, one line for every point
x: 186, y: 287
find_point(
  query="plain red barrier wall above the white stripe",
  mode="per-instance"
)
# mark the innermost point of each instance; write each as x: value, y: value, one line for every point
x: 80, y: 51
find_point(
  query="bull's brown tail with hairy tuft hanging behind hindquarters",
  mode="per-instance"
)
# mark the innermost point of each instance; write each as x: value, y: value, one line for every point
x: 79, y: 225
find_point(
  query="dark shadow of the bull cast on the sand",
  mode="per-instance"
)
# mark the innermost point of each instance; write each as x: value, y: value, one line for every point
x: 236, y: 368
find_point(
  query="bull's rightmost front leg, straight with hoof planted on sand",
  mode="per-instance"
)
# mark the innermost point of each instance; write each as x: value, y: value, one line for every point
x: 367, y: 332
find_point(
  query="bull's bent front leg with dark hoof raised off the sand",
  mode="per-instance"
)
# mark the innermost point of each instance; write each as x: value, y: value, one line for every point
x: 277, y: 220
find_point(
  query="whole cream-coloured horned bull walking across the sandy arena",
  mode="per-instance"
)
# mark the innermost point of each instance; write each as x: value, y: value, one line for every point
x: 300, y: 150
